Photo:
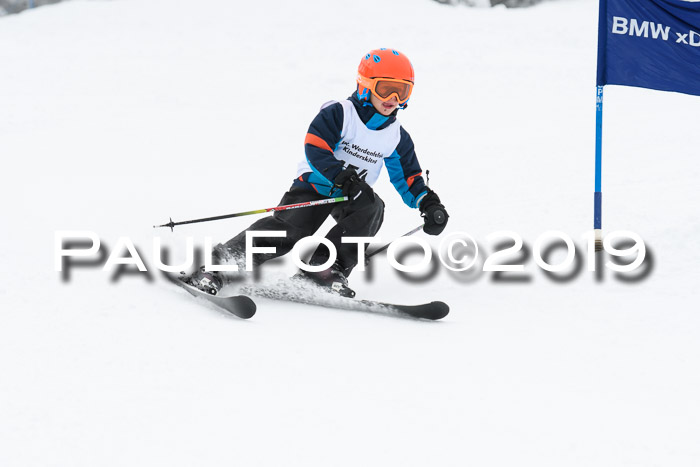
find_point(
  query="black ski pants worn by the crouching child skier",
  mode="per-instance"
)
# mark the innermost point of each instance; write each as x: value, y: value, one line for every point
x: 353, y: 220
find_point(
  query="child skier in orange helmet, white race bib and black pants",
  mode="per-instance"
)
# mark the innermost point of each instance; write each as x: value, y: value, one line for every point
x: 346, y: 146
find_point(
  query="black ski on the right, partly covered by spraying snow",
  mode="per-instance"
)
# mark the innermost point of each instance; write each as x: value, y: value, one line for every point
x: 293, y: 291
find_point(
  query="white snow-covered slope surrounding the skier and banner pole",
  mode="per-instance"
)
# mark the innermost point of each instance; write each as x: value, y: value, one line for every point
x: 116, y: 115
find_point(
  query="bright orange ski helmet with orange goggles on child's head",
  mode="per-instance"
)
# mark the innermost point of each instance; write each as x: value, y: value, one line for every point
x: 395, y: 69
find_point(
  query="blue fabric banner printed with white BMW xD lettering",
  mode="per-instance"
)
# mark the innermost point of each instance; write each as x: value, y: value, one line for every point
x: 650, y: 44
